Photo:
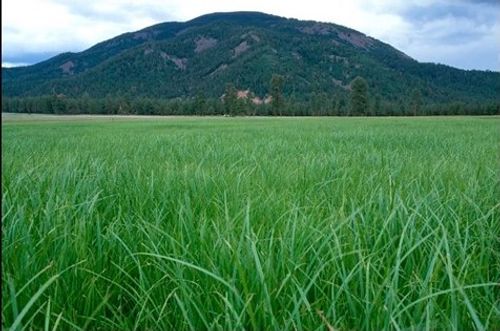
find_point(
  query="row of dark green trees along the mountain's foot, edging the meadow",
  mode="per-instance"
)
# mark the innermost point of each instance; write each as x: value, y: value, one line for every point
x: 358, y: 102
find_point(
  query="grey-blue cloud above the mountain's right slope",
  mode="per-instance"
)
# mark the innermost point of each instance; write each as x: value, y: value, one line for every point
x: 463, y: 33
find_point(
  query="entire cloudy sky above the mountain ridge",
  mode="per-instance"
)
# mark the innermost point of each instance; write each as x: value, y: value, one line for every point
x: 460, y: 33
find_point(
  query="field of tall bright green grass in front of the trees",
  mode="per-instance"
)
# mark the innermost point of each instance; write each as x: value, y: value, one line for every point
x: 251, y: 223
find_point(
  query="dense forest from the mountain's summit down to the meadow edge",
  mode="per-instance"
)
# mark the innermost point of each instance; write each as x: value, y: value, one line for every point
x: 185, y: 68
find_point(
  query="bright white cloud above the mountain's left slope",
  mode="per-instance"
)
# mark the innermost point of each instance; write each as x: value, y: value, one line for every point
x: 35, y: 26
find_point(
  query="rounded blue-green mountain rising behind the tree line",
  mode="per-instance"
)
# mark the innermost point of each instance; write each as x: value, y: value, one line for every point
x: 180, y: 59
